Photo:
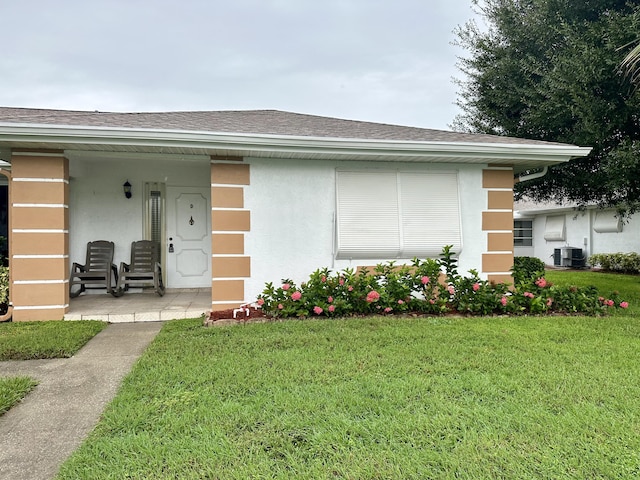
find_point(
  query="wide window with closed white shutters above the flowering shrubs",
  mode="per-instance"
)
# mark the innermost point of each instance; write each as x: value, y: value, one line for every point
x: 384, y: 215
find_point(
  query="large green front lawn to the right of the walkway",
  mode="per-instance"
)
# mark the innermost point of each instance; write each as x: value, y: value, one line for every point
x: 387, y: 398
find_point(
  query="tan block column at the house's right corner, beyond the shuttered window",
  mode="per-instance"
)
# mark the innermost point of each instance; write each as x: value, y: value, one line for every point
x: 497, y: 222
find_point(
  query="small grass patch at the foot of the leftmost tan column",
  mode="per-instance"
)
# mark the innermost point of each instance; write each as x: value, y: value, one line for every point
x: 54, y: 339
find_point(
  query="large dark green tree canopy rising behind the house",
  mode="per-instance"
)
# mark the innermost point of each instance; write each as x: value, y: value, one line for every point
x: 550, y: 70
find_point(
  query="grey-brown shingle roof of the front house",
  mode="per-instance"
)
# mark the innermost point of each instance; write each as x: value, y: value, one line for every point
x: 256, y: 122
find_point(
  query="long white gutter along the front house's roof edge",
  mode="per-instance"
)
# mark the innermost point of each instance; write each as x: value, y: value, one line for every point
x: 52, y: 135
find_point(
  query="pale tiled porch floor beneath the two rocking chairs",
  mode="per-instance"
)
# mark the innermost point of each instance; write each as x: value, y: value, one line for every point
x: 141, y: 306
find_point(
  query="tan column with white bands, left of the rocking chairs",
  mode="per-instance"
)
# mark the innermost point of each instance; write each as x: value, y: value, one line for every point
x: 39, y: 223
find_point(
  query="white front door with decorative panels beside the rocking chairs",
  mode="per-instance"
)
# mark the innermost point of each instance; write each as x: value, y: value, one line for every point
x: 188, y: 237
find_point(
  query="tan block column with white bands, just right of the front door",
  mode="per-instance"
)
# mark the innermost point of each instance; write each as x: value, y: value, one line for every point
x: 229, y: 222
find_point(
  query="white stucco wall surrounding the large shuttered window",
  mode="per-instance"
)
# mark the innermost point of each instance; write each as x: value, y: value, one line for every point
x: 292, y: 206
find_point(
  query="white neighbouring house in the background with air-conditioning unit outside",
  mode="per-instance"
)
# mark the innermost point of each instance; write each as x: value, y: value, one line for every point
x: 564, y: 235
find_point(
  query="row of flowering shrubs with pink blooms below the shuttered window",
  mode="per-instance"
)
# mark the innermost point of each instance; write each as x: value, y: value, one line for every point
x: 427, y: 287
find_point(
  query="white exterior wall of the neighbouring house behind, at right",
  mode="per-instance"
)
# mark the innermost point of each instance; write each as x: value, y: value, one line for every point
x: 580, y: 234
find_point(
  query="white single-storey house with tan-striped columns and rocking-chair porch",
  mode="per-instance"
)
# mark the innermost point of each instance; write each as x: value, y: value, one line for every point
x: 239, y: 198
